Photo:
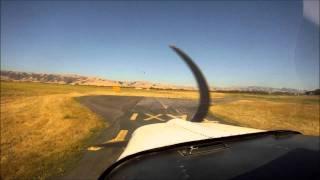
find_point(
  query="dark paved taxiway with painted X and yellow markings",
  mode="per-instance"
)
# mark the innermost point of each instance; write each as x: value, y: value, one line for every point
x: 124, y: 114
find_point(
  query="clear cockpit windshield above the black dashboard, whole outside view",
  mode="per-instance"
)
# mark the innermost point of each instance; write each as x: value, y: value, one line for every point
x: 85, y: 84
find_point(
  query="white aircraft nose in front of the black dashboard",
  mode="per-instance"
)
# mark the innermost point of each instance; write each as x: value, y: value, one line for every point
x: 178, y: 131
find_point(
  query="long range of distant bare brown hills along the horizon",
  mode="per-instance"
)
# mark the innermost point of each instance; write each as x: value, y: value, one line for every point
x: 73, y: 79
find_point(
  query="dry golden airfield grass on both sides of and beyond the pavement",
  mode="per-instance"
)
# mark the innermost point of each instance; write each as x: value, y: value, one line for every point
x: 44, y: 130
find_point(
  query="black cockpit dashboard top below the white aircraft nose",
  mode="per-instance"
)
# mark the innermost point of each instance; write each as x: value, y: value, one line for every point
x: 264, y: 156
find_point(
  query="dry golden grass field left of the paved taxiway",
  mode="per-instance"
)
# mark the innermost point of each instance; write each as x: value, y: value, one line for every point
x: 42, y: 134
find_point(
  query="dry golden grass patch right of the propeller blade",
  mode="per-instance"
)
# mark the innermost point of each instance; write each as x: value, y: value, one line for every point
x: 272, y: 112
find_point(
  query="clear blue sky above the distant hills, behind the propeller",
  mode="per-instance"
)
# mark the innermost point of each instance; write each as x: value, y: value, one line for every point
x: 235, y: 43
